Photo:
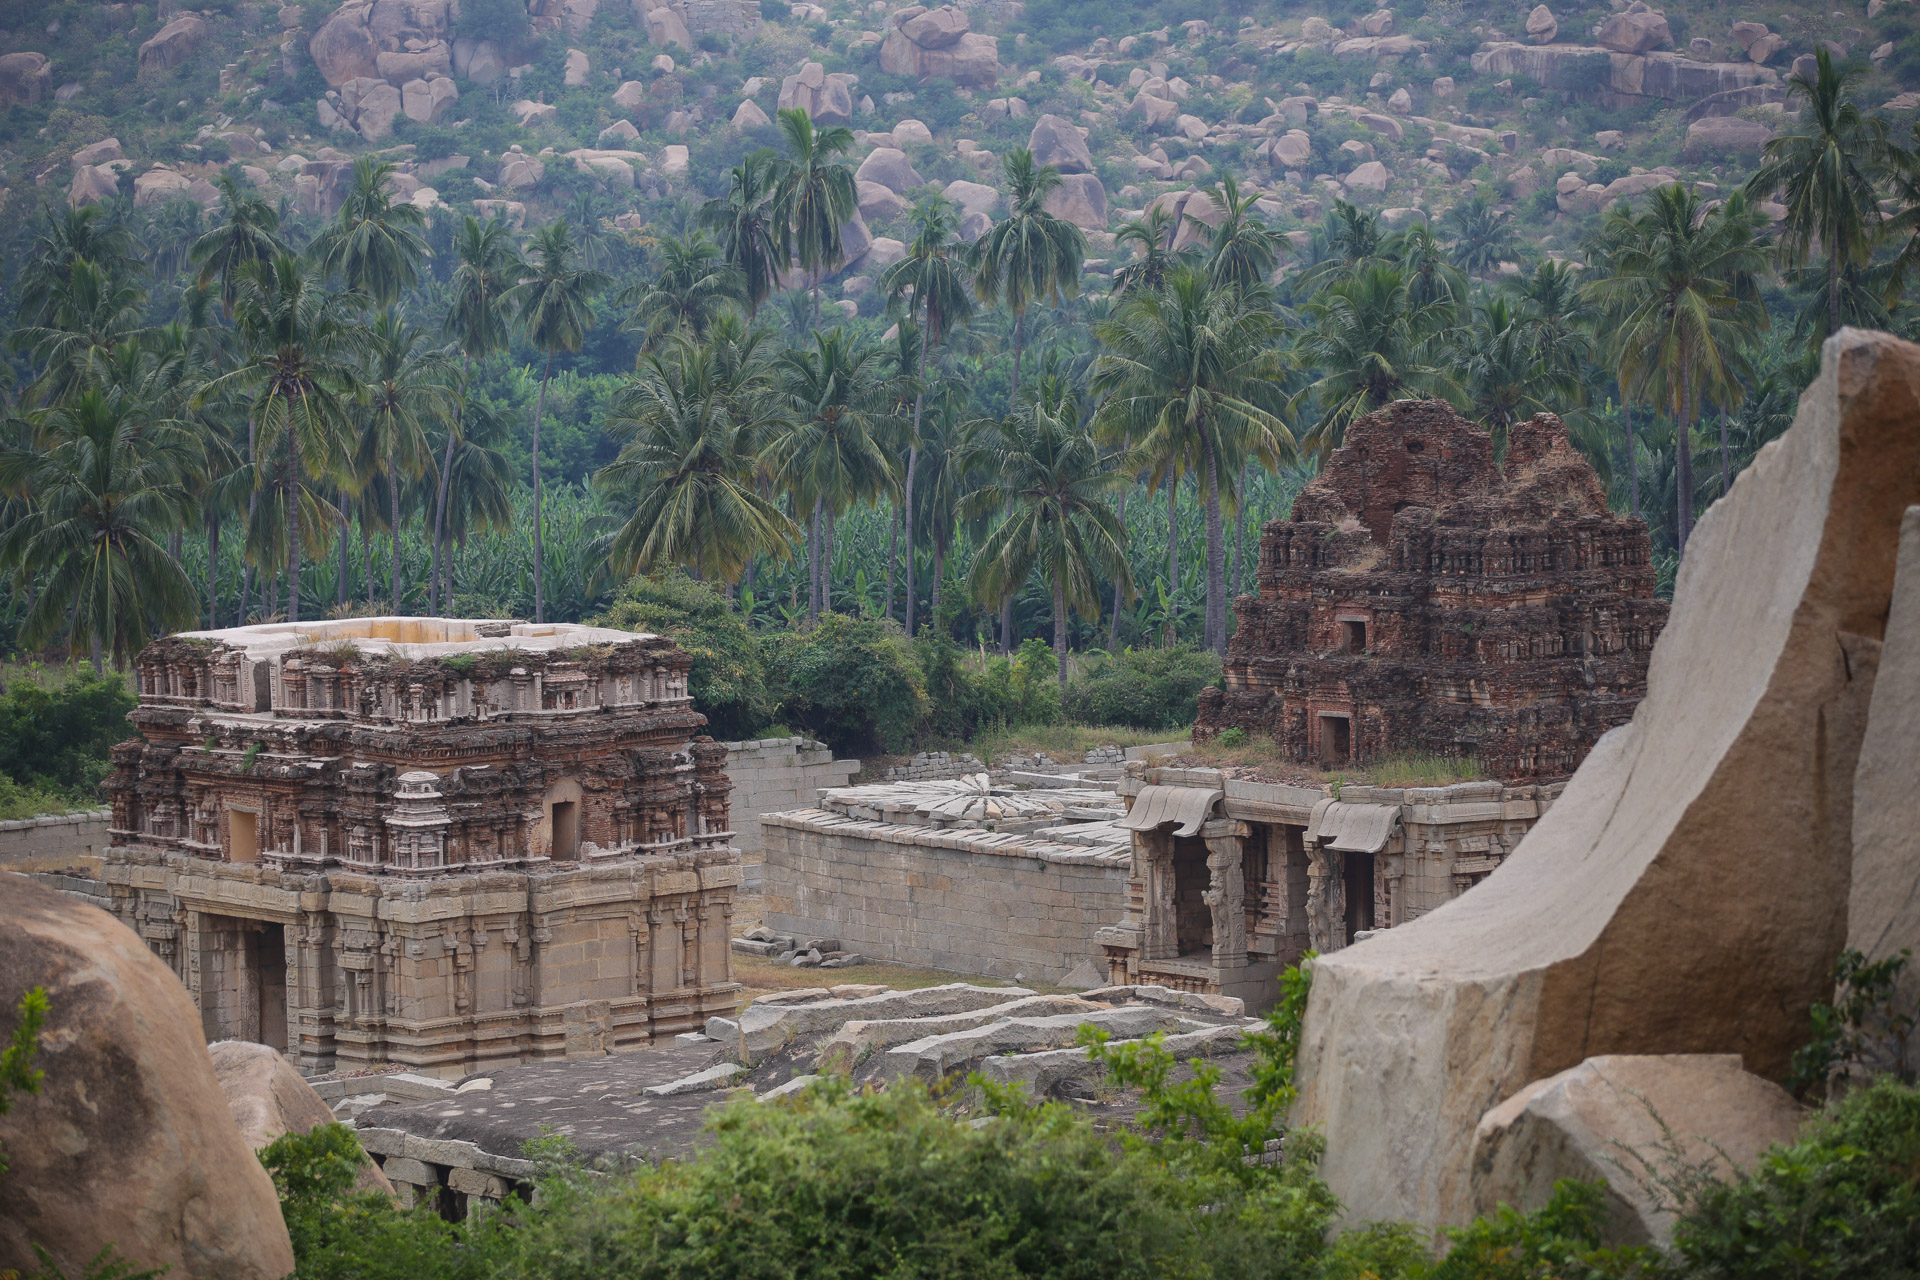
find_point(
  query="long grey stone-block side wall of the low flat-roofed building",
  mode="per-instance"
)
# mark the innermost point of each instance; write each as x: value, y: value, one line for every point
x: 971, y: 901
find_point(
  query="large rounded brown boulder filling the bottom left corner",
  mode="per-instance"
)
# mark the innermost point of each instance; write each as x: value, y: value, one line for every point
x: 130, y: 1141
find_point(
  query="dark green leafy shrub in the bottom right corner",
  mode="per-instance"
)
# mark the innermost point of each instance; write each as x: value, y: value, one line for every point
x: 1840, y: 1202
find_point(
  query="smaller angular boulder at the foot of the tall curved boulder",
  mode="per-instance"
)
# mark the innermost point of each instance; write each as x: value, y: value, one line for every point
x: 1602, y: 1122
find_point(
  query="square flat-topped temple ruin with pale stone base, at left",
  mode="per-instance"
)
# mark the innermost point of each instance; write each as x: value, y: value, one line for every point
x: 427, y: 841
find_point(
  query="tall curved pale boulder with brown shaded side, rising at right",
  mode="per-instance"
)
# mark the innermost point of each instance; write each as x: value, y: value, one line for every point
x: 1689, y: 891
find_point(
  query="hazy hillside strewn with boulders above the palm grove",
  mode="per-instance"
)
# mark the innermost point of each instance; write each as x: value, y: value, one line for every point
x: 517, y: 107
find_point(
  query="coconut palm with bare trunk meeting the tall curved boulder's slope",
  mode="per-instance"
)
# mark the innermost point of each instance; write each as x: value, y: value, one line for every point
x: 1683, y: 304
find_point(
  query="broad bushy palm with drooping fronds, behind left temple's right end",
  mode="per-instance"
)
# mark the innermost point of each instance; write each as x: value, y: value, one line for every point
x: 694, y: 419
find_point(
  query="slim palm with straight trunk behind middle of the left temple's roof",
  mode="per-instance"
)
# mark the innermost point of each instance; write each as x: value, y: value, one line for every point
x: 410, y: 389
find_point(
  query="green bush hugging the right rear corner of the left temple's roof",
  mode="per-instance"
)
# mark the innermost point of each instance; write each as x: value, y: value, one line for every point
x: 729, y: 680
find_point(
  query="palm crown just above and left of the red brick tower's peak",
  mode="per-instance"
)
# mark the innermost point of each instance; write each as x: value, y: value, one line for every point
x: 1374, y: 346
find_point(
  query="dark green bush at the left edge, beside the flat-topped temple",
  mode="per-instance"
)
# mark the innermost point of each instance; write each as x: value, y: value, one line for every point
x: 57, y: 740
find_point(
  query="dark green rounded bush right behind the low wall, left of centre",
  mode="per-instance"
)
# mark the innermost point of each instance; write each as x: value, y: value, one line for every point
x: 850, y: 682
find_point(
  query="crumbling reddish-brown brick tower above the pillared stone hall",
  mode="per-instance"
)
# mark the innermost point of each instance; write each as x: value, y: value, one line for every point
x: 1428, y: 600
